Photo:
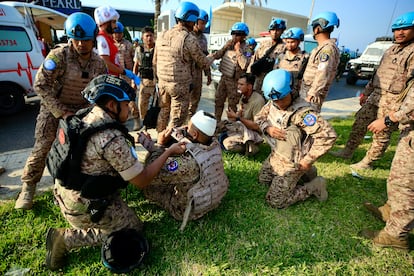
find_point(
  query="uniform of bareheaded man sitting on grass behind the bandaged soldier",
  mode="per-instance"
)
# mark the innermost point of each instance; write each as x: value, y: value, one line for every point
x: 238, y: 133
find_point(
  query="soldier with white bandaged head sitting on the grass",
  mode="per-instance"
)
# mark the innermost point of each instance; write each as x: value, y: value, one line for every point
x: 190, y: 185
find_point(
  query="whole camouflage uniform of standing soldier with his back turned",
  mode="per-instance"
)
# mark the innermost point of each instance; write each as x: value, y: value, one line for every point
x: 175, y: 52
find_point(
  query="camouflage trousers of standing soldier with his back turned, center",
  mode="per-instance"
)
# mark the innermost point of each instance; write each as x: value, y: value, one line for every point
x: 174, y: 99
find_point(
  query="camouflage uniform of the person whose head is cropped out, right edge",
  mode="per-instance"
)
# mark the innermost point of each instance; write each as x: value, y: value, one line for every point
x: 400, y: 185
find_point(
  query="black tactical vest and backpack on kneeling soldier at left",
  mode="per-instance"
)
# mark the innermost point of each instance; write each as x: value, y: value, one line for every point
x: 66, y: 154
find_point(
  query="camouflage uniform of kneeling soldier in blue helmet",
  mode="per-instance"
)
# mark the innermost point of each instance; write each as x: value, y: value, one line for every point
x: 309, y: 136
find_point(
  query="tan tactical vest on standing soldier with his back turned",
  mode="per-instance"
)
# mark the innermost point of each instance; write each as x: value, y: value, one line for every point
x: 171, y: 65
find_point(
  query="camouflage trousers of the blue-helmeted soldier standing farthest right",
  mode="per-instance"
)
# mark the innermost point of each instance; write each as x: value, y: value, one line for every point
x: 366, y: 115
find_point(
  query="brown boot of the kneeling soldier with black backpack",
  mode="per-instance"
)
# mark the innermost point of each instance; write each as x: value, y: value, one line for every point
x: 55, y: 248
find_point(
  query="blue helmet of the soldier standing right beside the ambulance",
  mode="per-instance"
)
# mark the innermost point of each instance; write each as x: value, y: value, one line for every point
x: 81, y: 26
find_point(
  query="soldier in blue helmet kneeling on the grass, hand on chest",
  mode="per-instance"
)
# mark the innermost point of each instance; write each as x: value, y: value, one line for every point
x: 298, y: 136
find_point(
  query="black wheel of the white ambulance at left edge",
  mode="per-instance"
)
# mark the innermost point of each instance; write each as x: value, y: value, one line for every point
x: 11, y: 98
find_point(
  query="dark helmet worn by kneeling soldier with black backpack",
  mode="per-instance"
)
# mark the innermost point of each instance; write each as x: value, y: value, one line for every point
x: 113, y: 86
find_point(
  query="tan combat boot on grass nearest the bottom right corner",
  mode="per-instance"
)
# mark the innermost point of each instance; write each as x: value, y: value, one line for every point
x: 383, y: 239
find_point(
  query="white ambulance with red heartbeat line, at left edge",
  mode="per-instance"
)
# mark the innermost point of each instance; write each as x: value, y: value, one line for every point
x: 20, y: 51
